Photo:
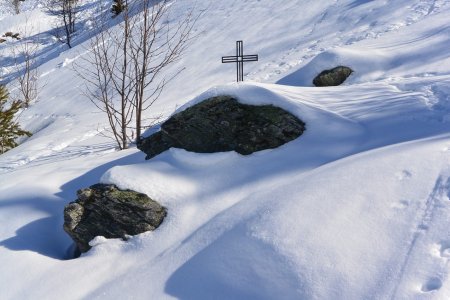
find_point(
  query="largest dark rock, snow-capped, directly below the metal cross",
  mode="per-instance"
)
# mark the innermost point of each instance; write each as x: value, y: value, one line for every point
x: 223, y: 124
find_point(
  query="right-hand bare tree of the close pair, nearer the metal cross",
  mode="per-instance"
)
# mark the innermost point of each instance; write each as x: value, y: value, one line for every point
x: 157, y: 43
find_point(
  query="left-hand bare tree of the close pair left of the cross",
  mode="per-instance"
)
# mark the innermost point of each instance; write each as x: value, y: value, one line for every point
x: 107, y: 74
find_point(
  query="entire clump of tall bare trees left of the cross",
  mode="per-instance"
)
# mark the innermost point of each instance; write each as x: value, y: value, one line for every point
x: 123, y: 68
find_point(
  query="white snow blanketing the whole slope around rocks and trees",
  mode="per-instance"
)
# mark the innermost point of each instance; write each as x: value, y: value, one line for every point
x: 356, y: 208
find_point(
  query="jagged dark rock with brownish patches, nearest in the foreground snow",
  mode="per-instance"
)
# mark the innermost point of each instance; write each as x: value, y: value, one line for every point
x: 104, y: 210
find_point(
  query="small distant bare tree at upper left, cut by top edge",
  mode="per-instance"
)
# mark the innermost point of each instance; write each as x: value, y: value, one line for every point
x: 66, y: 11
